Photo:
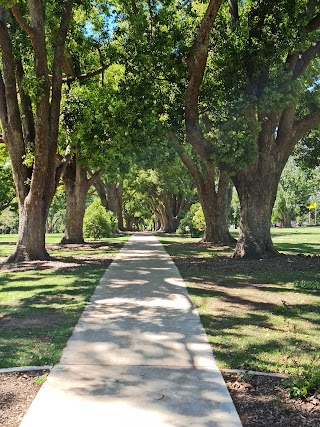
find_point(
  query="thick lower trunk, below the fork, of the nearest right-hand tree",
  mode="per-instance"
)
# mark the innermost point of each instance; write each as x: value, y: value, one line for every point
x: 257, y: 194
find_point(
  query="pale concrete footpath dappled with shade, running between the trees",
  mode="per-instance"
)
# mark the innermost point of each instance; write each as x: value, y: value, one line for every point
x: 138, y: 355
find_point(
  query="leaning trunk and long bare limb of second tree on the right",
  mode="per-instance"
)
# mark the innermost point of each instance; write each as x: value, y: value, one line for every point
x: 213, y: 183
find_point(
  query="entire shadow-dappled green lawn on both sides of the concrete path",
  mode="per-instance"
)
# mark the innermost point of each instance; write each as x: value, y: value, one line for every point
x: 262, y: 315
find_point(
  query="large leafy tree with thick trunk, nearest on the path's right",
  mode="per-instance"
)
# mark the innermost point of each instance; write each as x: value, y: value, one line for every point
x: 266, y: 90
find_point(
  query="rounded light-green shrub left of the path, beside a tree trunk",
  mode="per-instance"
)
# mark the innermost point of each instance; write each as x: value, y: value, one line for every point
x: 98, y: 222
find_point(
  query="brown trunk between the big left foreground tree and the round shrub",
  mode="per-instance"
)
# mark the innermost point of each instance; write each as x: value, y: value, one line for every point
x: 76, y: 187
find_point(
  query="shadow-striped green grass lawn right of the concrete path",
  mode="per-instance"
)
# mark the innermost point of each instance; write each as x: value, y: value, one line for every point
x: 260, y: 315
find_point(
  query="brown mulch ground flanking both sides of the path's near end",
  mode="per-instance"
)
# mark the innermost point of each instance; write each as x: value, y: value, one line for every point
x: 260, y: 401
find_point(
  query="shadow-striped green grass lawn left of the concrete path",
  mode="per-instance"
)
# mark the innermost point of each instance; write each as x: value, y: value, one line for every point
x: 40, y: 302
